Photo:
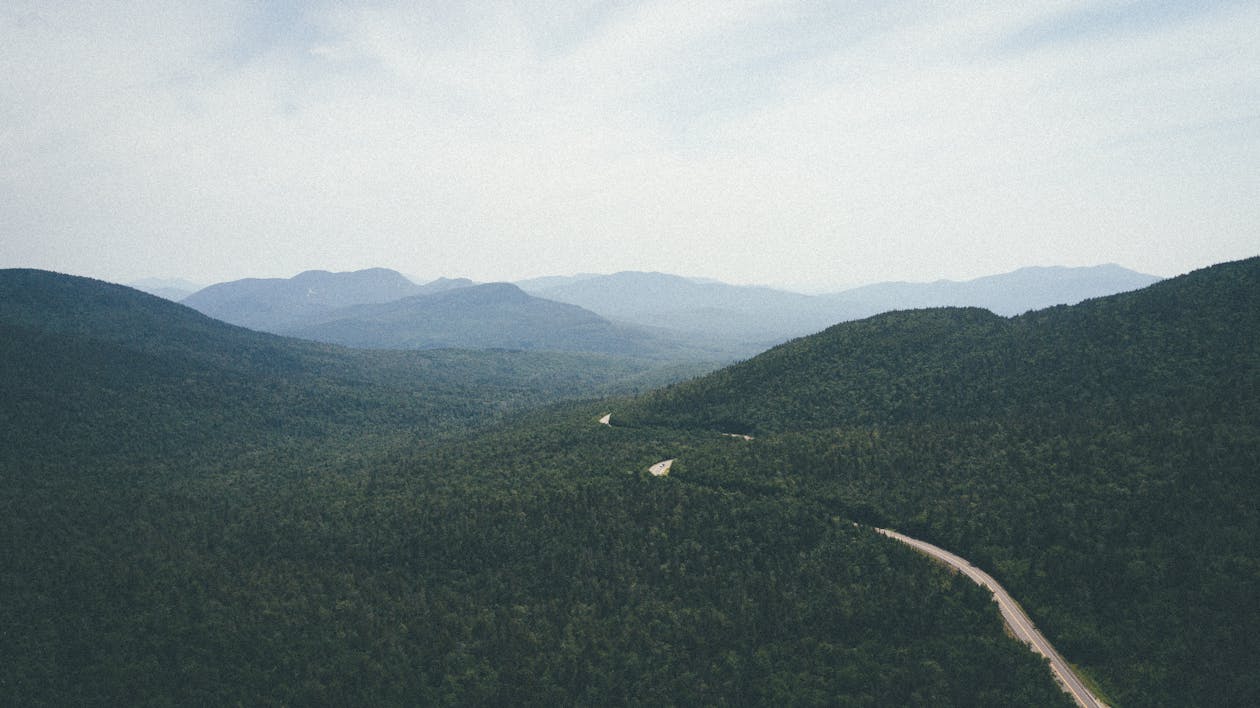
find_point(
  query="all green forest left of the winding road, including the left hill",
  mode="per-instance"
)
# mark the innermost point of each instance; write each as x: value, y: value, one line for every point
x: 198, y: 515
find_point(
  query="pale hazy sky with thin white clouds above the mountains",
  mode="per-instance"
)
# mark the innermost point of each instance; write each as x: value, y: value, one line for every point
x: 803, y: 144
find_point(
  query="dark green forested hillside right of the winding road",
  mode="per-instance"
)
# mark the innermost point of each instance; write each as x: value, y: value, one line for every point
x: 1102, y: 460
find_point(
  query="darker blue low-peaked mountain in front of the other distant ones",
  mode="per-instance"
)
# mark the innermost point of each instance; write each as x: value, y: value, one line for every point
x: 495, y: 316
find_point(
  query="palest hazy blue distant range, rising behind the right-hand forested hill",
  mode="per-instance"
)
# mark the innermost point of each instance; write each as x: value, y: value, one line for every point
x: 750, y: 319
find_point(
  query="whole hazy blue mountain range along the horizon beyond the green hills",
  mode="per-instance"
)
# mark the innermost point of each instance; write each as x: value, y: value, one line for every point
x: 638, y: 314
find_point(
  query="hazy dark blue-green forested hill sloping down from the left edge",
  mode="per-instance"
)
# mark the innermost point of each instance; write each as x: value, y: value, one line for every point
x: 93, y: 368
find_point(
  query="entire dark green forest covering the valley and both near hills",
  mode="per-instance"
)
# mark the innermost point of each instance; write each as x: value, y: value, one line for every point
x: 196, y: 513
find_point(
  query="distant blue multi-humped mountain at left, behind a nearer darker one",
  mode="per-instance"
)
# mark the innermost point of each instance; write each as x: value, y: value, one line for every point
x: 273, y: 304
